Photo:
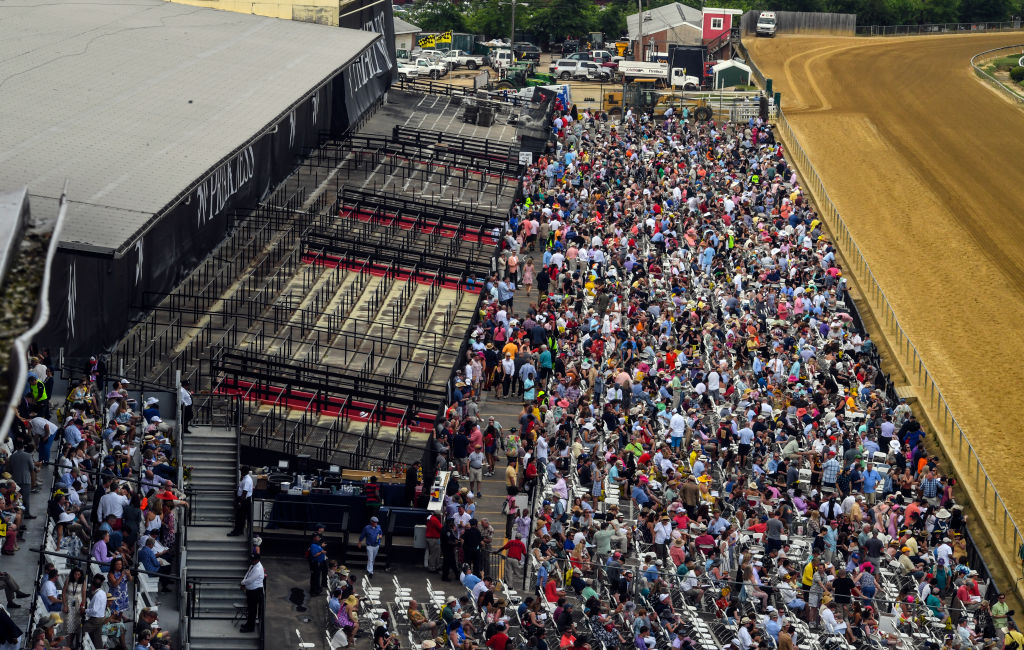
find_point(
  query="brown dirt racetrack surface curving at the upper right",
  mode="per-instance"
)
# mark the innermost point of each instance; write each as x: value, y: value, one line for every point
x: 926, y: 165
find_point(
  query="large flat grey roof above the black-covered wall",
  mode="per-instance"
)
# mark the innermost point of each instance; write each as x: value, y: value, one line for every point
x: 135, y: 101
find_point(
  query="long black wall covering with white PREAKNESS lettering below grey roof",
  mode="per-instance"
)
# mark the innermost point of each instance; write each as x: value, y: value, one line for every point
x: 96, y: 296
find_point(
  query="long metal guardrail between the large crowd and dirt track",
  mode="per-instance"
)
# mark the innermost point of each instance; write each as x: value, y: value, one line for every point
x: 993, y: 508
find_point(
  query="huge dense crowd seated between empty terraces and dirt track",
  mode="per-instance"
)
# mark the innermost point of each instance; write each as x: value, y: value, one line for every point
x: 705, y: 427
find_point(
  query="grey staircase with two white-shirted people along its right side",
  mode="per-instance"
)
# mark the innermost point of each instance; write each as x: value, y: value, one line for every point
x: 216, y: 562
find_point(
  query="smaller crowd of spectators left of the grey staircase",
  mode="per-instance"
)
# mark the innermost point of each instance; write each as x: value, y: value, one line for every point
x: 109, y: 517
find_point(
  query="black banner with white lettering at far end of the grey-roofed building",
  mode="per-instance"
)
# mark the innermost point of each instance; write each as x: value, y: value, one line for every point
x: 370, y: 76
